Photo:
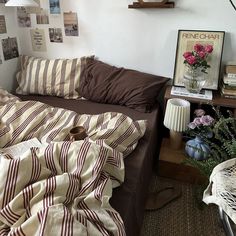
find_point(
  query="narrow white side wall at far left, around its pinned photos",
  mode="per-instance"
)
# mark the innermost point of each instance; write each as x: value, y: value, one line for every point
x: 8, y: 68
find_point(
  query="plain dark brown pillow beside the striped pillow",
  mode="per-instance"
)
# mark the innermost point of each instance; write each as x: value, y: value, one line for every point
x: 104, y: 83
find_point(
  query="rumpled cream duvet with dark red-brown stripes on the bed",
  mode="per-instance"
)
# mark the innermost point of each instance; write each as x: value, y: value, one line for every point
x: 64, y: 187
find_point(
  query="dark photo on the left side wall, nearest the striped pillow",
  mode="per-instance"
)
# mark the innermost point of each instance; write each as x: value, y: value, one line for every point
x: 10, y: 48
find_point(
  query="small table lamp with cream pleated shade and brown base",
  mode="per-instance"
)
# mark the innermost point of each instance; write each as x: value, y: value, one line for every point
x: 177, y: 118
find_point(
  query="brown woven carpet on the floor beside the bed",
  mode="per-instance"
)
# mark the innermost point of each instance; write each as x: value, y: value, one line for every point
x: 182, y: 217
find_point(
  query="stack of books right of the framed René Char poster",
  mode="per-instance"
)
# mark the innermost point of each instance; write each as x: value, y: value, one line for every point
x: 228, y: 85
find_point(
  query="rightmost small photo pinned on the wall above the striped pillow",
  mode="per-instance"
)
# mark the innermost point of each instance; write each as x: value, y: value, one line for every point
x: 71, y: 24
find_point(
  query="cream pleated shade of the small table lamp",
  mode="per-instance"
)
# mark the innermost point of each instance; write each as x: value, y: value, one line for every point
x: 177, y: 115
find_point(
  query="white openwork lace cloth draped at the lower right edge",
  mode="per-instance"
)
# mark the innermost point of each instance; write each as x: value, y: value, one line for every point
x: 222, y: 188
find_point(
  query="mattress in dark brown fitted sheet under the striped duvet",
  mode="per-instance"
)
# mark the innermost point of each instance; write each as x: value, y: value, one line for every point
x: 129, y: 198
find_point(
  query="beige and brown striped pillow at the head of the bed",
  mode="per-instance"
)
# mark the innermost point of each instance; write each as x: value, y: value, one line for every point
x: 58, y: 77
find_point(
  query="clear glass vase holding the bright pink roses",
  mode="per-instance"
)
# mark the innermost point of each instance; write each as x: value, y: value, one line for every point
x: 194, y: 80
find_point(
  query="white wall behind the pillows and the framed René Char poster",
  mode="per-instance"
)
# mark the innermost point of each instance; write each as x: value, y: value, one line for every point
x: 143, y: 39
